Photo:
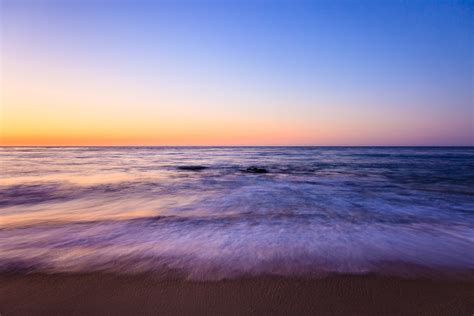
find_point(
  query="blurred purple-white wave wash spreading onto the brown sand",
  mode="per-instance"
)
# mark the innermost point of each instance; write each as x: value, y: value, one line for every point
x: 223, y: 249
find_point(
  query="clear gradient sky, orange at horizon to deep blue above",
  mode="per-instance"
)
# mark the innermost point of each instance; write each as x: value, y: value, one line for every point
x: 237, y: 72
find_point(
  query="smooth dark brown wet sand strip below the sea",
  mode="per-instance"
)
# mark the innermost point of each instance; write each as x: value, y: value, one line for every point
x: 102, y: 293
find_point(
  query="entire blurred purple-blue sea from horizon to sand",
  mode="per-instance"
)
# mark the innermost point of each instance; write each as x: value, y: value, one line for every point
x: 218, y: 212
